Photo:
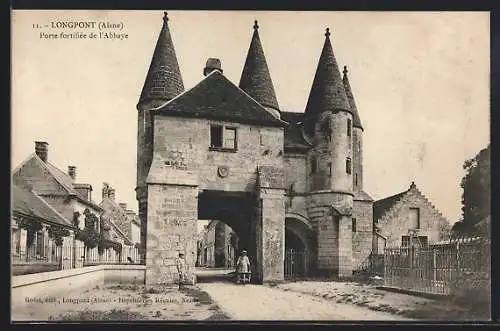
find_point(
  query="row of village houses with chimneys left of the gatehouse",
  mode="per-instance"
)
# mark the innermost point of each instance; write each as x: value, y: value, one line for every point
x: 56, y: 224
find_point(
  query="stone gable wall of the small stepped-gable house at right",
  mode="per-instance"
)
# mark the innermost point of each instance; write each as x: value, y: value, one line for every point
x: 396, y: 223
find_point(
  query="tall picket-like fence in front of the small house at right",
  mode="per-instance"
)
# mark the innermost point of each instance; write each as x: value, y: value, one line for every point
x: 437, y: 268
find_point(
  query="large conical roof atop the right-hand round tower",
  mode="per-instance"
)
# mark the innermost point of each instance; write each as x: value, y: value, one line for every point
x: 327, y: 91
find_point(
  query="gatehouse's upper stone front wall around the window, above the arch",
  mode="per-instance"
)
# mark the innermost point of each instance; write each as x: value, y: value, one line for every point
x: 174, y: 139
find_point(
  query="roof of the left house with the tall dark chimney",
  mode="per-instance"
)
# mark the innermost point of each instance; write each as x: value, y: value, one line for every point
x: 60, y: 177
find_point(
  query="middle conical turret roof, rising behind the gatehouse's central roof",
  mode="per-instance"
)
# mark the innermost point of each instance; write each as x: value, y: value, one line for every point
x: 255, y: 78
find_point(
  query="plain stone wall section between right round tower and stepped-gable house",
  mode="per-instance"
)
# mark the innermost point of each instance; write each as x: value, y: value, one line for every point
x: 362, y: 238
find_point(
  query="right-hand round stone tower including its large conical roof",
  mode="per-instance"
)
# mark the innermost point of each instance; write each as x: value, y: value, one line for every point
x: 329, y: 122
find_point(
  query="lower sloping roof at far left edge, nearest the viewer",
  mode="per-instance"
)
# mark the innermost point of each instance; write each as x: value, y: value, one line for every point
x: 29, y: 204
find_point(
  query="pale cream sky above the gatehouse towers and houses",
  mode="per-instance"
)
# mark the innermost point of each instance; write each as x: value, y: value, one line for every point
x: 420, y: 80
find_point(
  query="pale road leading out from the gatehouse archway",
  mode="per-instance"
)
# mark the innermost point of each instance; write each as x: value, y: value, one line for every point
x: 259, y: 302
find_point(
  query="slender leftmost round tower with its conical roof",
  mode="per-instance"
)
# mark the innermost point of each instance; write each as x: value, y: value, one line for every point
x: 163, y: 82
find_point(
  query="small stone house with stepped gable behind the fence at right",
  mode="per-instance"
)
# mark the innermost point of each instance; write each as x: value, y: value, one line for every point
x: 407, y: 219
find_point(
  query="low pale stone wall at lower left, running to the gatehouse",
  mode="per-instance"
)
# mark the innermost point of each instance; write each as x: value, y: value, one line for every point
x: 57, y: 283
